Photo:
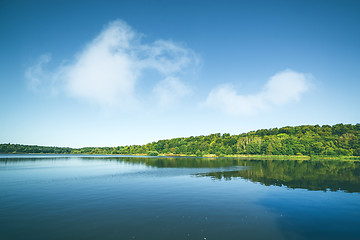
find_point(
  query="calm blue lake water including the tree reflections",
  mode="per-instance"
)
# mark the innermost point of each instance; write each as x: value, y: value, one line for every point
x: 86, y: 197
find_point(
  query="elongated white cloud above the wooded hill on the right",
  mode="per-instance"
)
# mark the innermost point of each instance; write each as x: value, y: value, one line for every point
x: 282, y: 88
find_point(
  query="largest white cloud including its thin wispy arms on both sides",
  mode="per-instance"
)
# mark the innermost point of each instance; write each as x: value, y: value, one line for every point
x: 107, y: 70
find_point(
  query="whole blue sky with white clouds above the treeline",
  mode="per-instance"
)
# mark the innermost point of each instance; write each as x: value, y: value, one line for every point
x: 112, y: 73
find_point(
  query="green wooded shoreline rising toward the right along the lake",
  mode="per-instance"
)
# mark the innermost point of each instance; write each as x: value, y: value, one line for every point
x: 337, y: 140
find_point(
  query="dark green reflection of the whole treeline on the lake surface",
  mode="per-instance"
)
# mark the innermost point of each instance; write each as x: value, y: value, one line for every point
x: 311, y: 175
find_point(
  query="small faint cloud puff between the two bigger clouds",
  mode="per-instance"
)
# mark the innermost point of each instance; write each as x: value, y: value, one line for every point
x: 170, y: 90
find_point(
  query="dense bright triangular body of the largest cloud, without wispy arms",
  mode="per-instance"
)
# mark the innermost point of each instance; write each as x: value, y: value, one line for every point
x: 104, y: 72
